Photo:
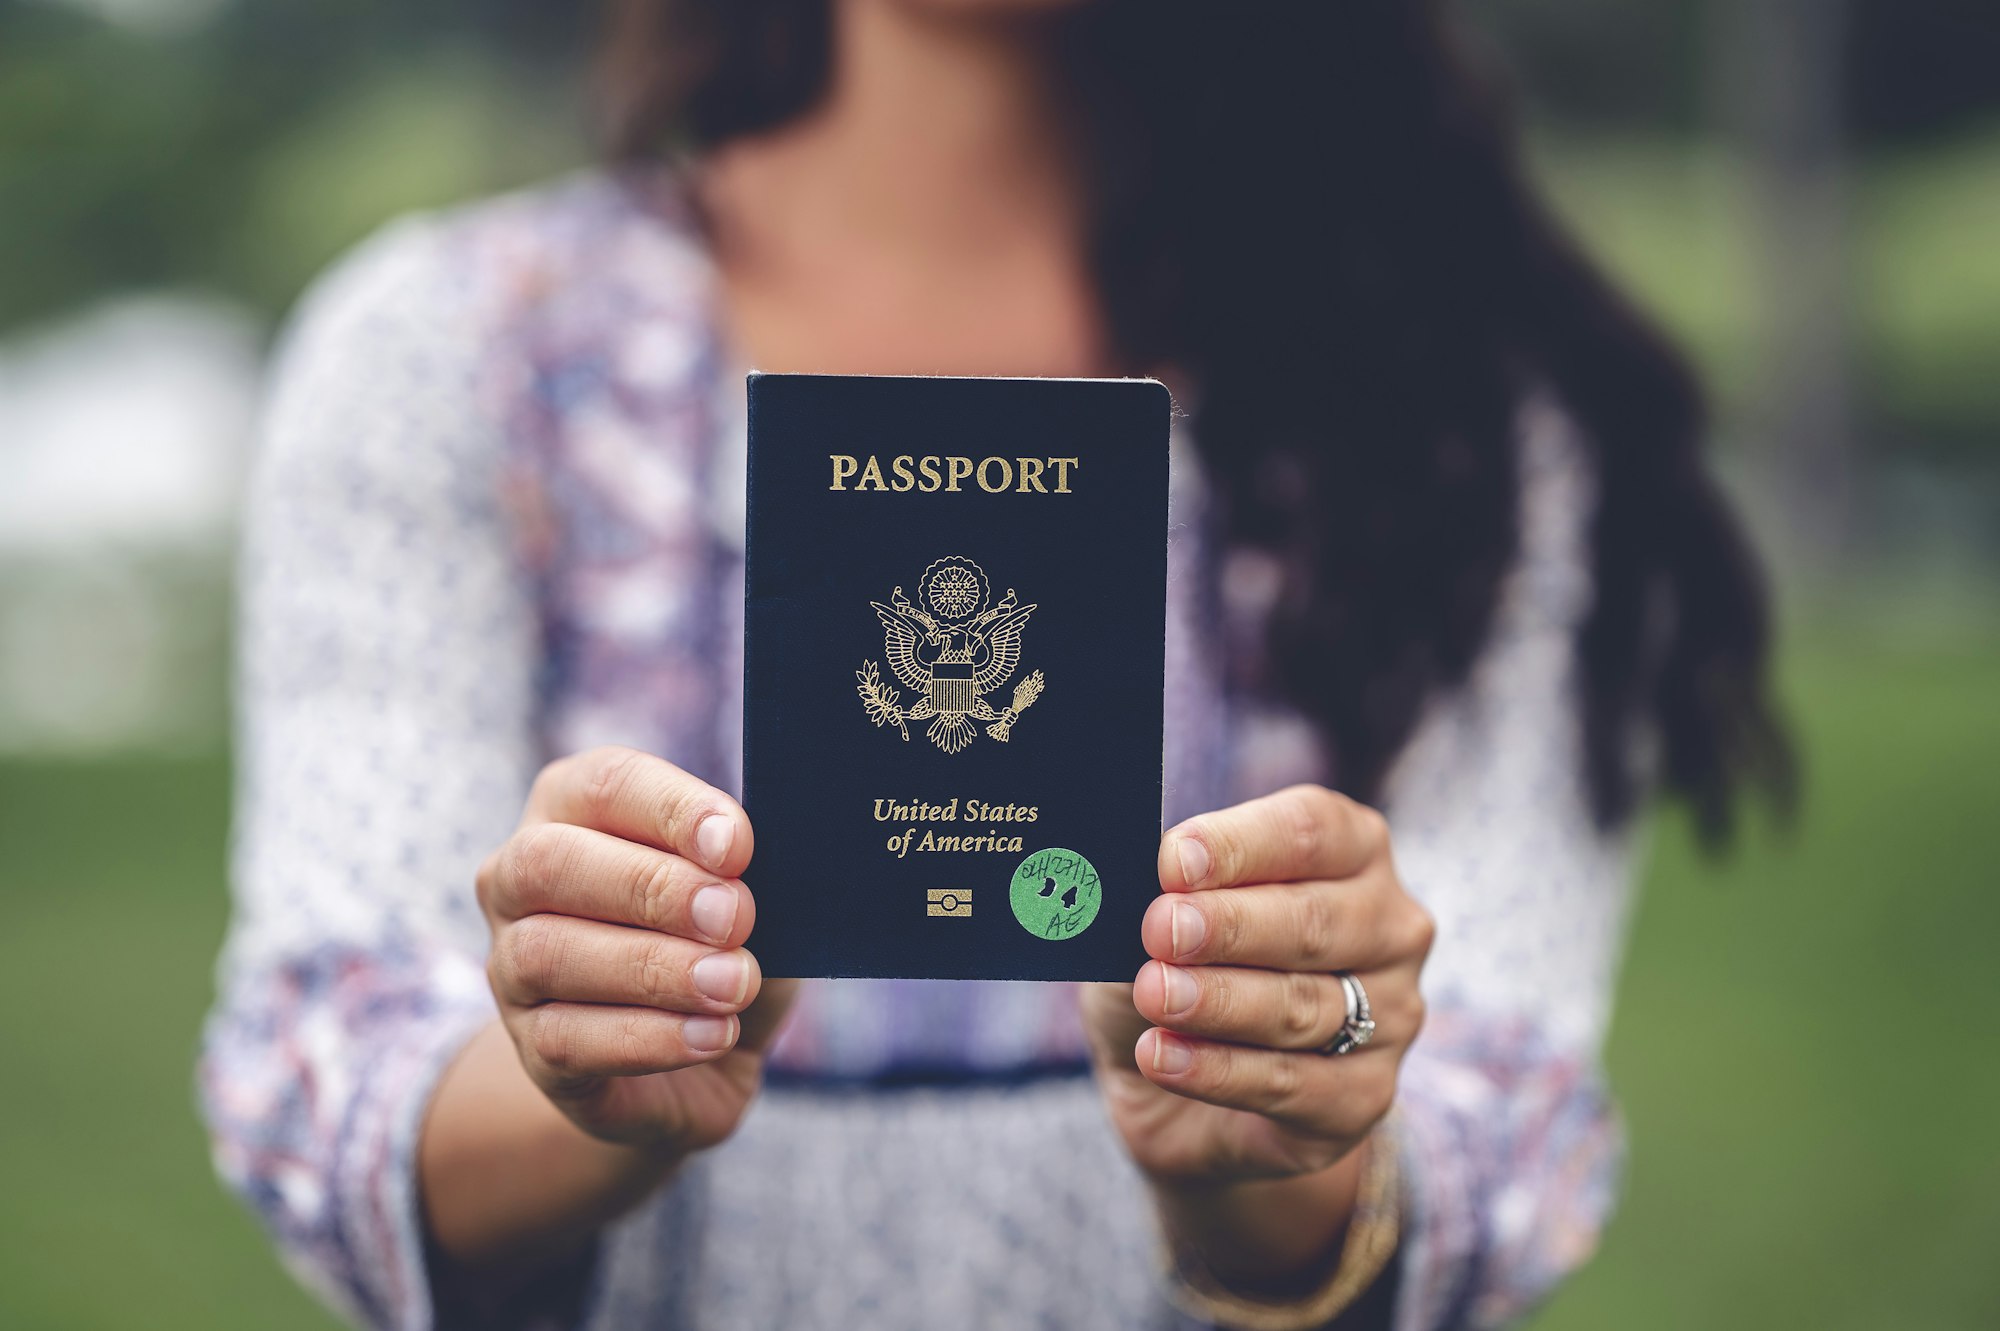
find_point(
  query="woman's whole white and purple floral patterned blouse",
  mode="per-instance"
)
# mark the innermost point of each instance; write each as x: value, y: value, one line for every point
x: 499, y: 519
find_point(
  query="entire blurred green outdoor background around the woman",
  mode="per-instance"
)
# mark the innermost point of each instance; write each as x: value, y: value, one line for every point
x: 1805, y: 191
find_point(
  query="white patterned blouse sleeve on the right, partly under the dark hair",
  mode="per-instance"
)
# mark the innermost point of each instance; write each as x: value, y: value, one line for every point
x: 1511, y: 1144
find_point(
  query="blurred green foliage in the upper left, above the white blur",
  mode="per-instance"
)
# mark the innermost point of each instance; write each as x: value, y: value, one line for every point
x: 239, y: 147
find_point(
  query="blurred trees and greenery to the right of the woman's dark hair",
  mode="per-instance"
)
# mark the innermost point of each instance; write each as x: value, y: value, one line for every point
x: 1807, y: 193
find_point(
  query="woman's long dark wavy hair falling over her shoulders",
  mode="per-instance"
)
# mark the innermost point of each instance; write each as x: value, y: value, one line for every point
x: 1319, y: 215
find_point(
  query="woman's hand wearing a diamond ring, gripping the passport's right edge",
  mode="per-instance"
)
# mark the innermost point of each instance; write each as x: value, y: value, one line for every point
x: 1213, y: 1060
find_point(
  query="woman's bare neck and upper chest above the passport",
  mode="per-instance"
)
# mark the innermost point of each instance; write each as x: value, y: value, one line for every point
x: 921, y: 219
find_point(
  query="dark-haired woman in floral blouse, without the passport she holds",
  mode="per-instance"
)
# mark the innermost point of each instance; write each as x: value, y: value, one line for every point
x: 493, y: 1044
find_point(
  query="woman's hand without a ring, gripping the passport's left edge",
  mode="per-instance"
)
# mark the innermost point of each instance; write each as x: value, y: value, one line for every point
x: 619, y: 962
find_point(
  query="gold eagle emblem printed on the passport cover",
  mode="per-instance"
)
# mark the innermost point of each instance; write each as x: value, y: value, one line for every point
x: 953, y: 647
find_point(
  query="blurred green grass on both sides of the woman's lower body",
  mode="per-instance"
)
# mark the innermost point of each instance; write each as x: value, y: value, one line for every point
x: 1803, y: 1048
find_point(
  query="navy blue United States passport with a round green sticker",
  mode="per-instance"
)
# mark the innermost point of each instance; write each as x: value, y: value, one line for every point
x: 953, y: 674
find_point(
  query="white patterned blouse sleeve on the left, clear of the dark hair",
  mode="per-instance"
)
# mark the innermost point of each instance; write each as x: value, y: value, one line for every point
x: 385, y: 744
